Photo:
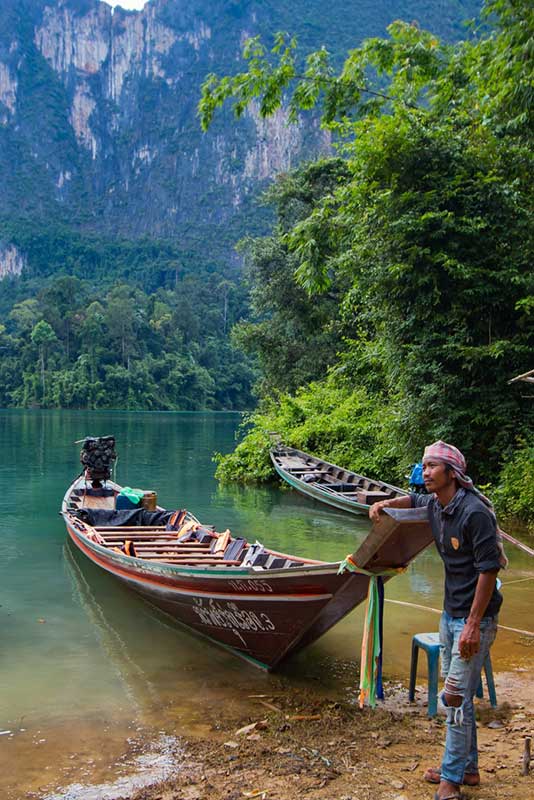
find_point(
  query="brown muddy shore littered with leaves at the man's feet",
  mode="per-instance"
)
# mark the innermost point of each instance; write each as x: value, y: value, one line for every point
x: 294, y: 745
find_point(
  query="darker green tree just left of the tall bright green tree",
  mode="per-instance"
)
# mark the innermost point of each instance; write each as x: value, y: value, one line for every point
x: 295, y: 337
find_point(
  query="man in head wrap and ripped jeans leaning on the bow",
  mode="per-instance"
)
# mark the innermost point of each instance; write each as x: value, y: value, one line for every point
x: 465, y: 532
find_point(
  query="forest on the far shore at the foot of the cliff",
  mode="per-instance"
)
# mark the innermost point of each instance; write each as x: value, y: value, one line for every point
x: 150, y: 334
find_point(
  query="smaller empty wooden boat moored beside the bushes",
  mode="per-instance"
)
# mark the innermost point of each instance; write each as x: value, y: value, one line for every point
x: 328, y: 483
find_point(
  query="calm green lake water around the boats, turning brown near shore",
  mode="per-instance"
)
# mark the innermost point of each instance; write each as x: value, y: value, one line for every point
x: 90, y: 675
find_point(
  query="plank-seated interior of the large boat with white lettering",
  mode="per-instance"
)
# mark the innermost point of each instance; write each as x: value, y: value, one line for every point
x: 159, y: 535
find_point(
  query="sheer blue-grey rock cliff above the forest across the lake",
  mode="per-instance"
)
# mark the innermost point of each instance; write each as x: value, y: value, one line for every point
x: 98, y: 123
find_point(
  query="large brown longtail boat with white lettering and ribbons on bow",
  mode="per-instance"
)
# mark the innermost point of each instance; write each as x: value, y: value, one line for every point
x: 261, y: 604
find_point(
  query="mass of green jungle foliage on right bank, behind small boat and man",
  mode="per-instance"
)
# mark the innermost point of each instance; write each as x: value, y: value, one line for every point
x: 395, y: 296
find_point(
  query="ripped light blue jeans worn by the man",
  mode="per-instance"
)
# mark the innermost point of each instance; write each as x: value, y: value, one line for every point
x: 461, y: 753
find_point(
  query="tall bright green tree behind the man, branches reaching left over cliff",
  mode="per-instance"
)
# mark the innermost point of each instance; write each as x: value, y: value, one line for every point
x: 430, y: 236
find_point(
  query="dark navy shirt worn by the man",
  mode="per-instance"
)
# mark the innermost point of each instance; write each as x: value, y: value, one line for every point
x: 465, y: 533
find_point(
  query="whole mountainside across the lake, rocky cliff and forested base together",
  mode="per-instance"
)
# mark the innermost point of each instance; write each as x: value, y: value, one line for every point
x: 119, y: 281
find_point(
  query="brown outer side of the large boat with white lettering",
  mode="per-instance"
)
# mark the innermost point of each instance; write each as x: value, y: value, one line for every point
x: 262, y: 617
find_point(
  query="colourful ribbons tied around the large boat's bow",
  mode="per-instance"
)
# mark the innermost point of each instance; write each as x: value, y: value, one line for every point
x: 371, y: 656
